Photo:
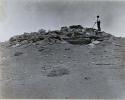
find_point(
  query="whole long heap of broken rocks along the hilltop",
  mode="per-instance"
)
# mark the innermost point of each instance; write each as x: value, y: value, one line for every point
x: 74, y: 34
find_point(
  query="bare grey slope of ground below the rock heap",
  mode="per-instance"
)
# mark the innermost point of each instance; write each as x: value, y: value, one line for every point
x: 58, y: 69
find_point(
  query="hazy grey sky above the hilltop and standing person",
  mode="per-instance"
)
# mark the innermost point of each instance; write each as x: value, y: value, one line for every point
x: 19, y: 16
